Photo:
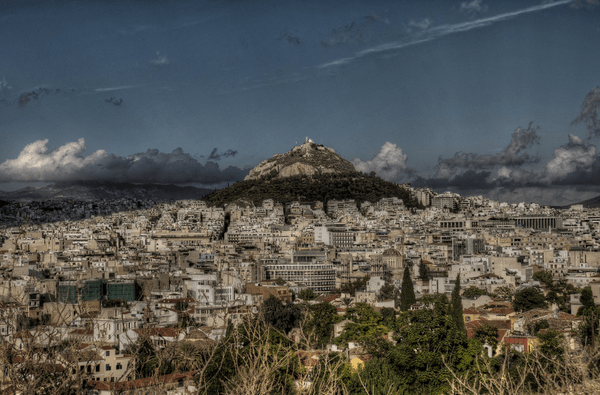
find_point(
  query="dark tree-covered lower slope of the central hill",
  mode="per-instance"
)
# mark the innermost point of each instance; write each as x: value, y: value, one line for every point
x: 316, y: 187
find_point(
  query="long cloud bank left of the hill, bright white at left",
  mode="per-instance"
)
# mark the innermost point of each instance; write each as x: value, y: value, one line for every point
x: 65, y: 163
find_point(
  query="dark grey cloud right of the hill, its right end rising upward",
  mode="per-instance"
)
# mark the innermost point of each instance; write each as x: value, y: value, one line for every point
x: 512, y: 155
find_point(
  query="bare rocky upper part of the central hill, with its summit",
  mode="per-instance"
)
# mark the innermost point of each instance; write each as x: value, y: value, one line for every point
x: 307, y: 159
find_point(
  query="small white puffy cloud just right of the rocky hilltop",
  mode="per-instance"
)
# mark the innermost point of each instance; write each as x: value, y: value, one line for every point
x: 389, y: 163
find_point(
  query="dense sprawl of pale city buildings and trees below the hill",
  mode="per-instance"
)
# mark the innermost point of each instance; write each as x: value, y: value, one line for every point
x: 113, y: 295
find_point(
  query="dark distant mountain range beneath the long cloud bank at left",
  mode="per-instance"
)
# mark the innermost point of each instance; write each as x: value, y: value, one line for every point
x: 90, y: 191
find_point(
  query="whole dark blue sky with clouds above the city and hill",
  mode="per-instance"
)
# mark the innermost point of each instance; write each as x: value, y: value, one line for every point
x: 480, y: 97
